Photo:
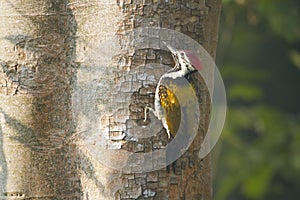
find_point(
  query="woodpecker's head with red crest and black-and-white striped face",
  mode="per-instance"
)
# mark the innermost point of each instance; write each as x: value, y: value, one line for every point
x: 185, y: 60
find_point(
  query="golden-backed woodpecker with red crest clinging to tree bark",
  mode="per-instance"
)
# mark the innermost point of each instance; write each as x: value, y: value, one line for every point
x: 166, y: 105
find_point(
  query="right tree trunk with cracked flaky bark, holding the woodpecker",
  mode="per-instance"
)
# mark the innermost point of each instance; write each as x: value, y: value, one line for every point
x: 117, y: 79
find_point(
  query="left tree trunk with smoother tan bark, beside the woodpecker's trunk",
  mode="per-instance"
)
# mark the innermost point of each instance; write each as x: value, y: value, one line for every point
x: 36, y: 75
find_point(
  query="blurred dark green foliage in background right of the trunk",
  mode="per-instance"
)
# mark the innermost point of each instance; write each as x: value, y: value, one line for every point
x: 258, y: 156
